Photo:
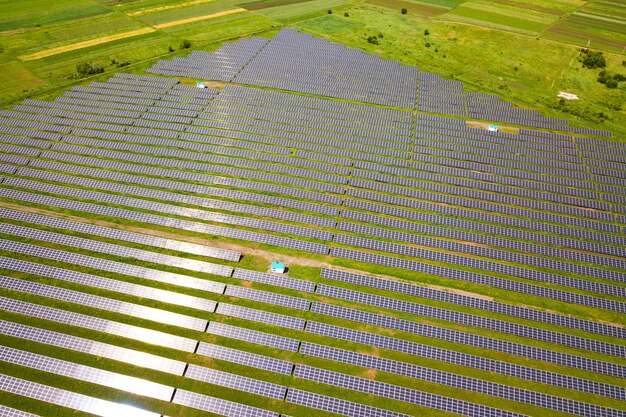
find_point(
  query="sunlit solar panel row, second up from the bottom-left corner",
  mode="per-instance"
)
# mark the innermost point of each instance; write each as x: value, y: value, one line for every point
x: 96, y: 406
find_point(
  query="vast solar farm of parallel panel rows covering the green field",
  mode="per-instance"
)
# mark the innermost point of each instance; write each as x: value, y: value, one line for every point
x: 533, y: 214
